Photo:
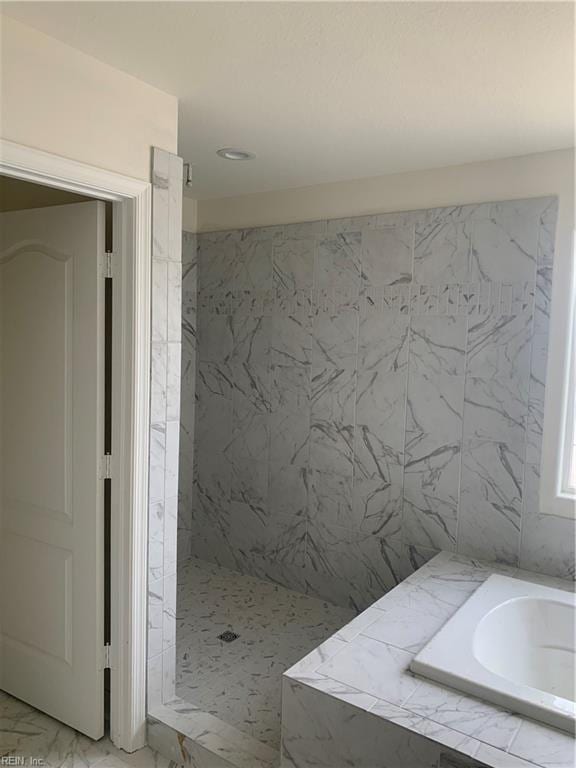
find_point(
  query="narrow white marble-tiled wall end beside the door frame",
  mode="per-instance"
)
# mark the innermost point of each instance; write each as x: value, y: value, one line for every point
x: 165, y: 423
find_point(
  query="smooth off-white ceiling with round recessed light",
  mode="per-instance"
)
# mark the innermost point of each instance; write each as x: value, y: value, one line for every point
x: 328, y: 91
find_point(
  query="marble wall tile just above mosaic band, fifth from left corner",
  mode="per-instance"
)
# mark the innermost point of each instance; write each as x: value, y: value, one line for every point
x: 387, y: 255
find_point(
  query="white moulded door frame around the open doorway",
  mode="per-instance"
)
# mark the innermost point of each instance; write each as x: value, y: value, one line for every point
x: 130, y: 415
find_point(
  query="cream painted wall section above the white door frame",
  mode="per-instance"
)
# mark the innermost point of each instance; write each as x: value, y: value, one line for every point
x: 60, y: 100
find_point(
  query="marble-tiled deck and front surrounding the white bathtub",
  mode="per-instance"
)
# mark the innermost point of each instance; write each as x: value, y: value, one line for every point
x: 383, y: 709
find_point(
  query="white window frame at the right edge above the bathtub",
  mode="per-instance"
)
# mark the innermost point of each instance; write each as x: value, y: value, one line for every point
x: 556, y: 496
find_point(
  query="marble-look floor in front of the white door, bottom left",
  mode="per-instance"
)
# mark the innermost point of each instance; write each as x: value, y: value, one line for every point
x: 28, y: 733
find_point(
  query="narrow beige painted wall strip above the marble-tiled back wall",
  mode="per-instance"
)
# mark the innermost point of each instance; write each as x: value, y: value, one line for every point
x: 511, y: 178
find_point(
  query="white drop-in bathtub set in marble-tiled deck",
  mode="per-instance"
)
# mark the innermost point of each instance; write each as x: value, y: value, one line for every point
x: 514, y: 644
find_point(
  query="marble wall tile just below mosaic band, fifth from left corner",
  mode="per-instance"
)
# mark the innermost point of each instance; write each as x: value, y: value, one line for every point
x: 383, y: 339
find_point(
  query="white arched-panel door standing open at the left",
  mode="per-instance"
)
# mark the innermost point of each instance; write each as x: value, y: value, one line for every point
x: 51, y: 418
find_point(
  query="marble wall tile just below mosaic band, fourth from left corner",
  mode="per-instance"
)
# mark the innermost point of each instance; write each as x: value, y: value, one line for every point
x: 335, y: 338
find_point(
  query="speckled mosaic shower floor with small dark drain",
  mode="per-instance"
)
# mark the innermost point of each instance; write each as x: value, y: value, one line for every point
x: 239, y: 682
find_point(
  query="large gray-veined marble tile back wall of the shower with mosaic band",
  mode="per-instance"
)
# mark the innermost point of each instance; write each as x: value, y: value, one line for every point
x: 369, y: 391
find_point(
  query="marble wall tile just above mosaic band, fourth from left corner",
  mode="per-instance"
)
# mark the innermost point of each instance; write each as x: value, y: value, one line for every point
x: 338, y: 261
